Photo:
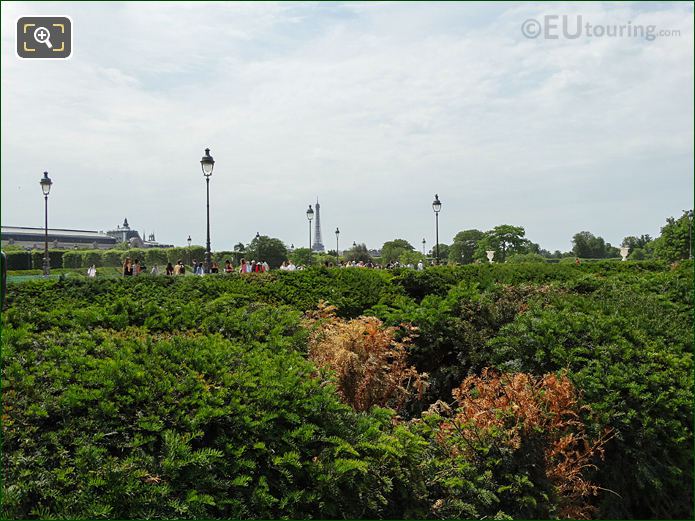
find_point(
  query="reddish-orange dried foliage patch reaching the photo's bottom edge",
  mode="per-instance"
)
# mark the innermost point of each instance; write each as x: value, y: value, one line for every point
x: 519, y: 405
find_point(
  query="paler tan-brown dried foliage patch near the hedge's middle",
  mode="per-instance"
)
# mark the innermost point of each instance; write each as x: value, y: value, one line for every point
x: 370, y: 365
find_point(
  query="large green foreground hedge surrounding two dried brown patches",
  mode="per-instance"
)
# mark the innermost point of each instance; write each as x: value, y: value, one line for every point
x: 191, y: 396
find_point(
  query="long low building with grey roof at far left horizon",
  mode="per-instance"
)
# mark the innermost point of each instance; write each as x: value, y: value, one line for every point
x: 58, y: 238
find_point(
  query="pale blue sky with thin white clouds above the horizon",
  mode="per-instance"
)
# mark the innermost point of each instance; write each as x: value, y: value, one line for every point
x: 373, y: 107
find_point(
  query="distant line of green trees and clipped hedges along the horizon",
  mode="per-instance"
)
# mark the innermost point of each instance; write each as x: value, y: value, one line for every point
x: 509, y: 243
